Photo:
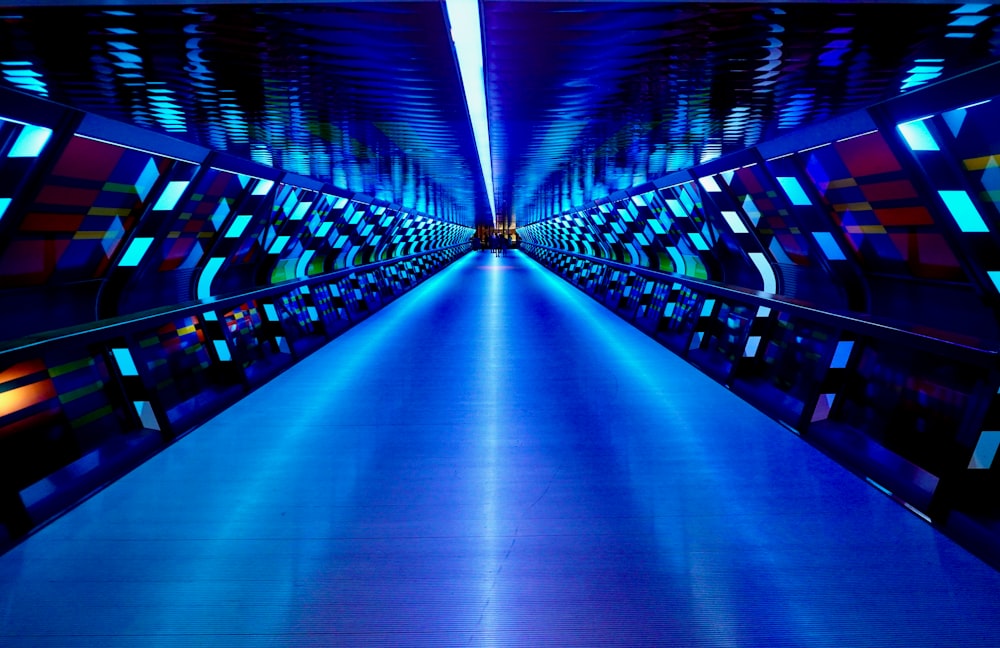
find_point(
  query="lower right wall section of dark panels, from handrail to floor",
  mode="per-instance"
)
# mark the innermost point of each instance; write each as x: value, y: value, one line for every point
x: 914, y: 411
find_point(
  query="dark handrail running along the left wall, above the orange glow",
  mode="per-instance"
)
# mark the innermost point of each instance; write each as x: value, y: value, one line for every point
x: 114, y: 326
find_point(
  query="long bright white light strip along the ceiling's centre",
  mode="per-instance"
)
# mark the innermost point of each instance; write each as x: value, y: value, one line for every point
x: 463, y: 15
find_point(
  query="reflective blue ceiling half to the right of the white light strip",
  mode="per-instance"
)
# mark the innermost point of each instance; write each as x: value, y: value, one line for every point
x: 589, y: 98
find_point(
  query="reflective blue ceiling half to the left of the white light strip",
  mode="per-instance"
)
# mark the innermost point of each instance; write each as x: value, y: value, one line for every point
x: 365, y: 96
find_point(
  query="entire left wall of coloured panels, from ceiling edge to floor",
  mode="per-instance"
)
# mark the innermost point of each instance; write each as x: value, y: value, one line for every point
x: 146, y: 283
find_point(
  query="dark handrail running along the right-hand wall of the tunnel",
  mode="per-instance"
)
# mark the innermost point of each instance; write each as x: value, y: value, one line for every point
x: 933, y: 341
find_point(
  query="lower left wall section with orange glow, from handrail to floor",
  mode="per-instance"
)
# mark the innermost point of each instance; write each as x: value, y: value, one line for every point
x: 81, y: 406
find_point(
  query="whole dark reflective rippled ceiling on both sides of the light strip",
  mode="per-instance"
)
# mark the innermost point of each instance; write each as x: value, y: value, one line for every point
x: 585, y: 98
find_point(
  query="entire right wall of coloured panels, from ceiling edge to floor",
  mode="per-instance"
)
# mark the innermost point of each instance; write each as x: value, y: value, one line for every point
x: 844, y: 278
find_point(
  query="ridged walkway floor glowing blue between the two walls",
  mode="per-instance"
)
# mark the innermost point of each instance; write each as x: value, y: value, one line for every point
x: 493, y: 460
